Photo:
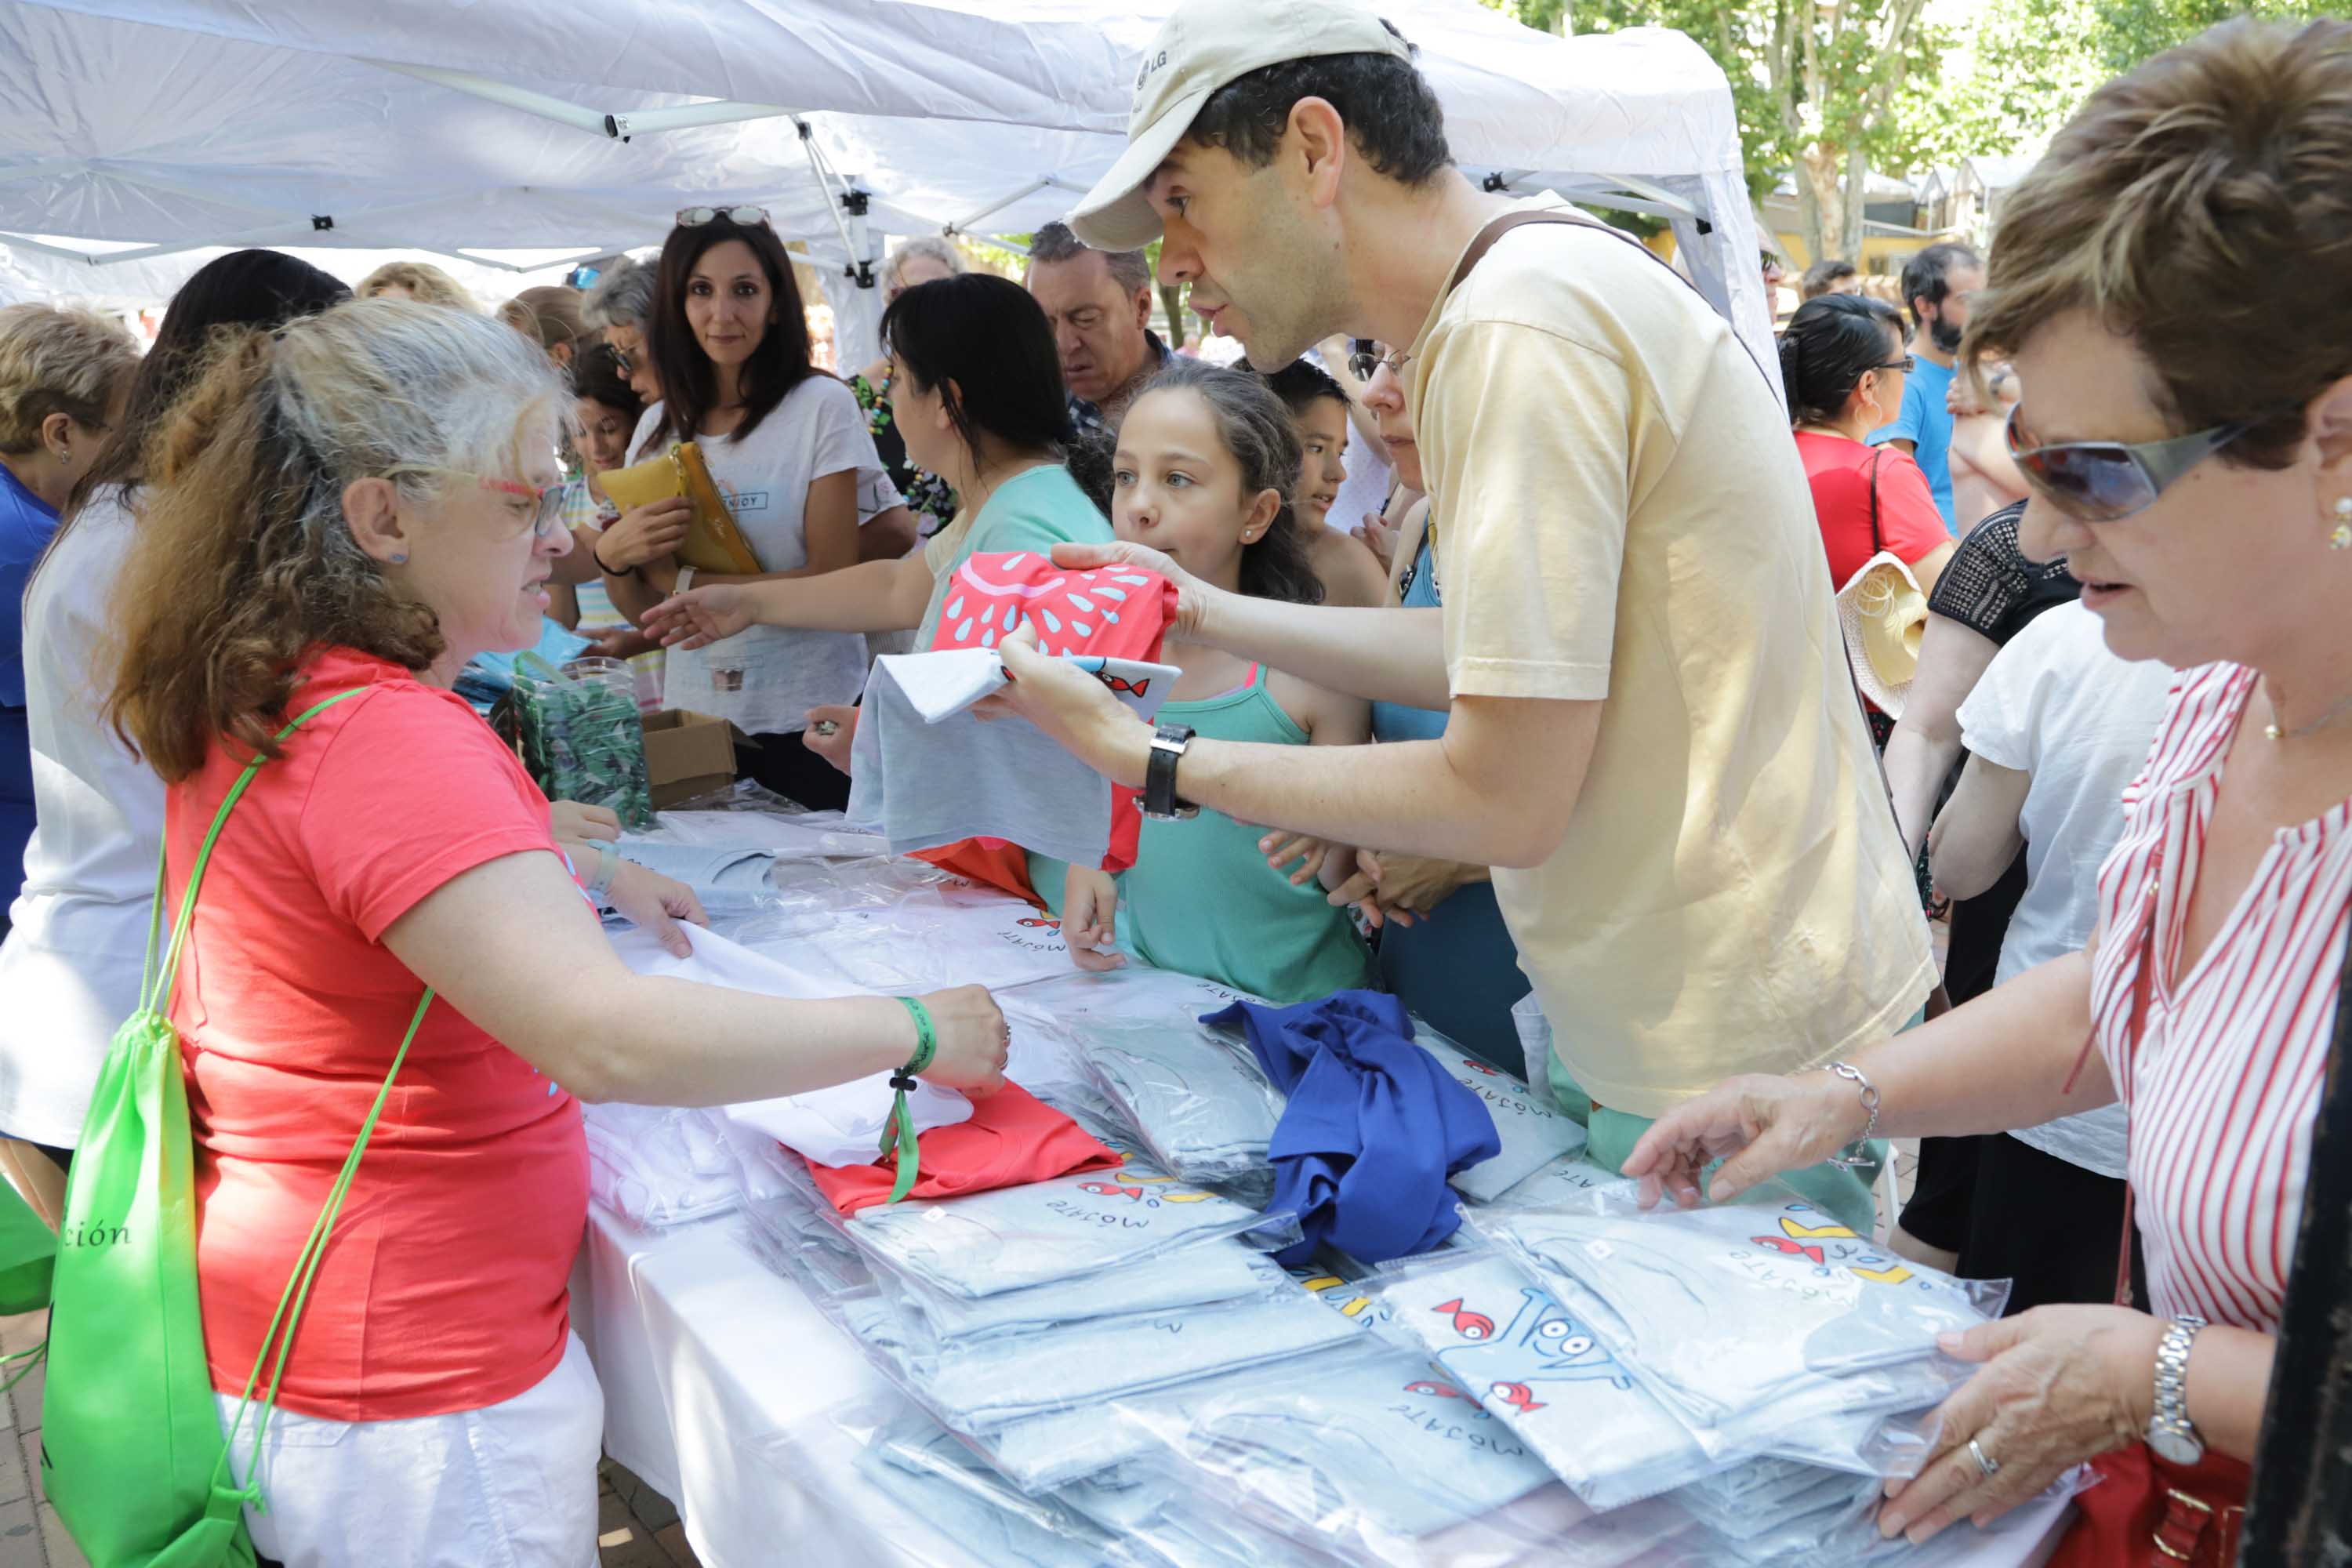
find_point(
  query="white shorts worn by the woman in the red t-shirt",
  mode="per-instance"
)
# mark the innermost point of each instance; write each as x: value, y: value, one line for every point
x: 509, y: 1487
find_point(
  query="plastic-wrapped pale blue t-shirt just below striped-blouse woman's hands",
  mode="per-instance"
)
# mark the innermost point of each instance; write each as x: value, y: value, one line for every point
x: 1756, y: 1318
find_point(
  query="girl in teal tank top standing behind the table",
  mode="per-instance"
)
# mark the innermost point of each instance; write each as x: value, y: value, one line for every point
x: 1205, y: 469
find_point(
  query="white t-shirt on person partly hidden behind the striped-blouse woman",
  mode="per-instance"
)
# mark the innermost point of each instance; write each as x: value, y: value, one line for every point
x: 2078, y: 721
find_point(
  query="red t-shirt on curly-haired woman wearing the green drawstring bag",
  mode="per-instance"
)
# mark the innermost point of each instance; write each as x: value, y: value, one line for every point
x: 446, y: 1282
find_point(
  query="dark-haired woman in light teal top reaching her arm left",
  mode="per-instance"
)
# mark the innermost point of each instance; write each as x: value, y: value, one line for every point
x: 980, y: 401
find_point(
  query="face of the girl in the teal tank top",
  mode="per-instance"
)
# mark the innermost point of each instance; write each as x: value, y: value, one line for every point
x: 1177, y: 488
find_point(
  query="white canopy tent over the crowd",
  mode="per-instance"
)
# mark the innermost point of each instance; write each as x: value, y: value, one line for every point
x: 140, y: 138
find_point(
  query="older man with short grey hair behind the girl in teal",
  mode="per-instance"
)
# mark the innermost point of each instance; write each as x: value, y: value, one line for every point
x: 1100, y: 307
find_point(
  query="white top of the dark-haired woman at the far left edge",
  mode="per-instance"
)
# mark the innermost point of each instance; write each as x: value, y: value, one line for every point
x: 72, y: 965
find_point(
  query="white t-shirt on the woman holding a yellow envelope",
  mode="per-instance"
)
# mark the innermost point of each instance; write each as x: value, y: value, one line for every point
x: 766, y: 478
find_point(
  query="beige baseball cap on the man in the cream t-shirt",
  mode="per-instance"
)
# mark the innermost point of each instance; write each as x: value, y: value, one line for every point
x: 1198, y: 51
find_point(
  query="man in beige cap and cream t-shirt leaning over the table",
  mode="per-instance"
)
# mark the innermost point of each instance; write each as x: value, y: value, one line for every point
x: 1650, y: 723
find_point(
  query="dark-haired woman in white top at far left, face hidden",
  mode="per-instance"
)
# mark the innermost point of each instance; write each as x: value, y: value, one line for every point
x: 72, y: 965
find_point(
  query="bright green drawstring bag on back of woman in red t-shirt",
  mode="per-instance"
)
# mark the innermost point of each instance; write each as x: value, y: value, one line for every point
x: 131, y: 1438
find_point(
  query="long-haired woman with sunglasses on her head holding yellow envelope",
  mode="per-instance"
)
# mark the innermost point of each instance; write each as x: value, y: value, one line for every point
x: 789, y: 453
